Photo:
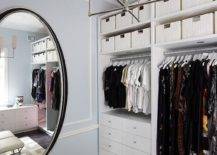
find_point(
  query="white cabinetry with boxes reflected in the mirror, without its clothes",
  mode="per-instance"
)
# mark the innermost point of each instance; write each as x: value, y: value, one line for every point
x: 45, y: 56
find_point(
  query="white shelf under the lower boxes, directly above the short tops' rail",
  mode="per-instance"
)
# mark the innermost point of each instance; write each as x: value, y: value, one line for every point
x: 129, y: 51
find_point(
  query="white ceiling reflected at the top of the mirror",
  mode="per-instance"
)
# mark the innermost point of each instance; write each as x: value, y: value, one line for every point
x: 24, y: 22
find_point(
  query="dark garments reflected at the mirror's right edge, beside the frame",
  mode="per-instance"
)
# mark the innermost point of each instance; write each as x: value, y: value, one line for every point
x: 55, y: 89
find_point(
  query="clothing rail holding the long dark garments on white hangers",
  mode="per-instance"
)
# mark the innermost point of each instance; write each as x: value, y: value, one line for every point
x: 192, y: 51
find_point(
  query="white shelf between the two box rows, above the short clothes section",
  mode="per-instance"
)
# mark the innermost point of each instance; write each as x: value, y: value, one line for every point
x: 127, y: 29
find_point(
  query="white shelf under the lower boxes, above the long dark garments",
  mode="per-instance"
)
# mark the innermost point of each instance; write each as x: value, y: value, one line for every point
x: 191, y: 42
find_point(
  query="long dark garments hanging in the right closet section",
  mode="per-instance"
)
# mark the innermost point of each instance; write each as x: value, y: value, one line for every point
x: 186, y: 105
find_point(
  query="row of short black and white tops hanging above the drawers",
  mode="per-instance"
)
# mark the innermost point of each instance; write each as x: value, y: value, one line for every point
x: 128, y: 86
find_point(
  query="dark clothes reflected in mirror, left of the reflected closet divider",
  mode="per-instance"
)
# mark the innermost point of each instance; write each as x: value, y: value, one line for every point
x: 38, y: 85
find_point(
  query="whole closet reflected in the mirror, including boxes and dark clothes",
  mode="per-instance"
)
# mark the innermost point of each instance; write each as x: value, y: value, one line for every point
x: 45, y: 67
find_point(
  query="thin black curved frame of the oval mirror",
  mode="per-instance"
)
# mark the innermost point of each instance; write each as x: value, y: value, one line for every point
x: 63, y: 67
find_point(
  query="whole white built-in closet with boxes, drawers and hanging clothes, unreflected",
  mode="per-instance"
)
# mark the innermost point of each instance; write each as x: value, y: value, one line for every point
x: 169, y: 33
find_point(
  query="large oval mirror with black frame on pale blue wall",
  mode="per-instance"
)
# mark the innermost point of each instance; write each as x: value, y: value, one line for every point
x: 33, y: 84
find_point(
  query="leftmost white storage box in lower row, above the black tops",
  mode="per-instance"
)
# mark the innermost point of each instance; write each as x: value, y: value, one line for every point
x: 108, y: 45
